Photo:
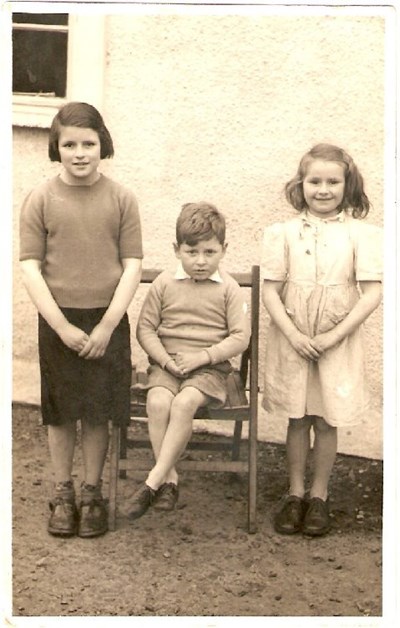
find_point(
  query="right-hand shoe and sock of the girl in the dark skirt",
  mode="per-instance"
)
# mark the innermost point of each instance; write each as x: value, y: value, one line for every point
x: 93, y: 517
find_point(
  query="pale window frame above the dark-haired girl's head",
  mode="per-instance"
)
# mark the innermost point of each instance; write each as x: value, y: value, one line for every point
x: 85, y: 74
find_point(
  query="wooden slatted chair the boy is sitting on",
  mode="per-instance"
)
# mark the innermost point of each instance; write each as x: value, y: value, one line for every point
x: 241, y: 405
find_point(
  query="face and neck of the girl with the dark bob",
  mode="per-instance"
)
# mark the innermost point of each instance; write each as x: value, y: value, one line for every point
x: 80, y: 155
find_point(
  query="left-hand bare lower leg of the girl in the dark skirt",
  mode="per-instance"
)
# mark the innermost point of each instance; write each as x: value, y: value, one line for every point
x: 61, y: 439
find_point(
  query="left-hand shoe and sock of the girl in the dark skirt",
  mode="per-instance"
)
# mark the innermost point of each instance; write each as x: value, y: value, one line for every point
x: 63, y: 520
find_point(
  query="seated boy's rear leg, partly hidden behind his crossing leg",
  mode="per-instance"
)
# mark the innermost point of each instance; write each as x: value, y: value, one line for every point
x: 159, y: 401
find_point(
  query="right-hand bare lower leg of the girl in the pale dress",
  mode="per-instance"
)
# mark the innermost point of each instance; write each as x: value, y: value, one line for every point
x: 325, y: 447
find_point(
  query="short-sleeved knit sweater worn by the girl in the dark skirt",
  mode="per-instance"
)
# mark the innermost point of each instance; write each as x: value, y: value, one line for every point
x: 80, y: 234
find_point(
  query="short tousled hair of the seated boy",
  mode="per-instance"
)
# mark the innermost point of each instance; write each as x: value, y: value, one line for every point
x: 199, y: 221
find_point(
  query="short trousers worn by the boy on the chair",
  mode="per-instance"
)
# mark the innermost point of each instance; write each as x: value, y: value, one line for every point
x: 210, y: 380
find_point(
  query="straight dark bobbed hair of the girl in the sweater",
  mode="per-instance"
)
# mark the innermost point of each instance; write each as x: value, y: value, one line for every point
x: 82, y: 115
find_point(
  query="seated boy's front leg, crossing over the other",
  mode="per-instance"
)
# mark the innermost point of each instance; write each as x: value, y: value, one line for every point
x: 179, y: 430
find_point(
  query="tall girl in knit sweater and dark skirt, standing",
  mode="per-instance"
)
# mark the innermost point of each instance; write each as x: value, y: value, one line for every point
x: 80, y: 253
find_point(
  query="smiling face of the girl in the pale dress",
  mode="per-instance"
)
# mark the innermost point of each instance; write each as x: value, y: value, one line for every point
x: 323, y: 187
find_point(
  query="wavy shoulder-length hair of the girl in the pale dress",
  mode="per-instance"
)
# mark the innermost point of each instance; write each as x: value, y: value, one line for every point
x: 354, y: 196
